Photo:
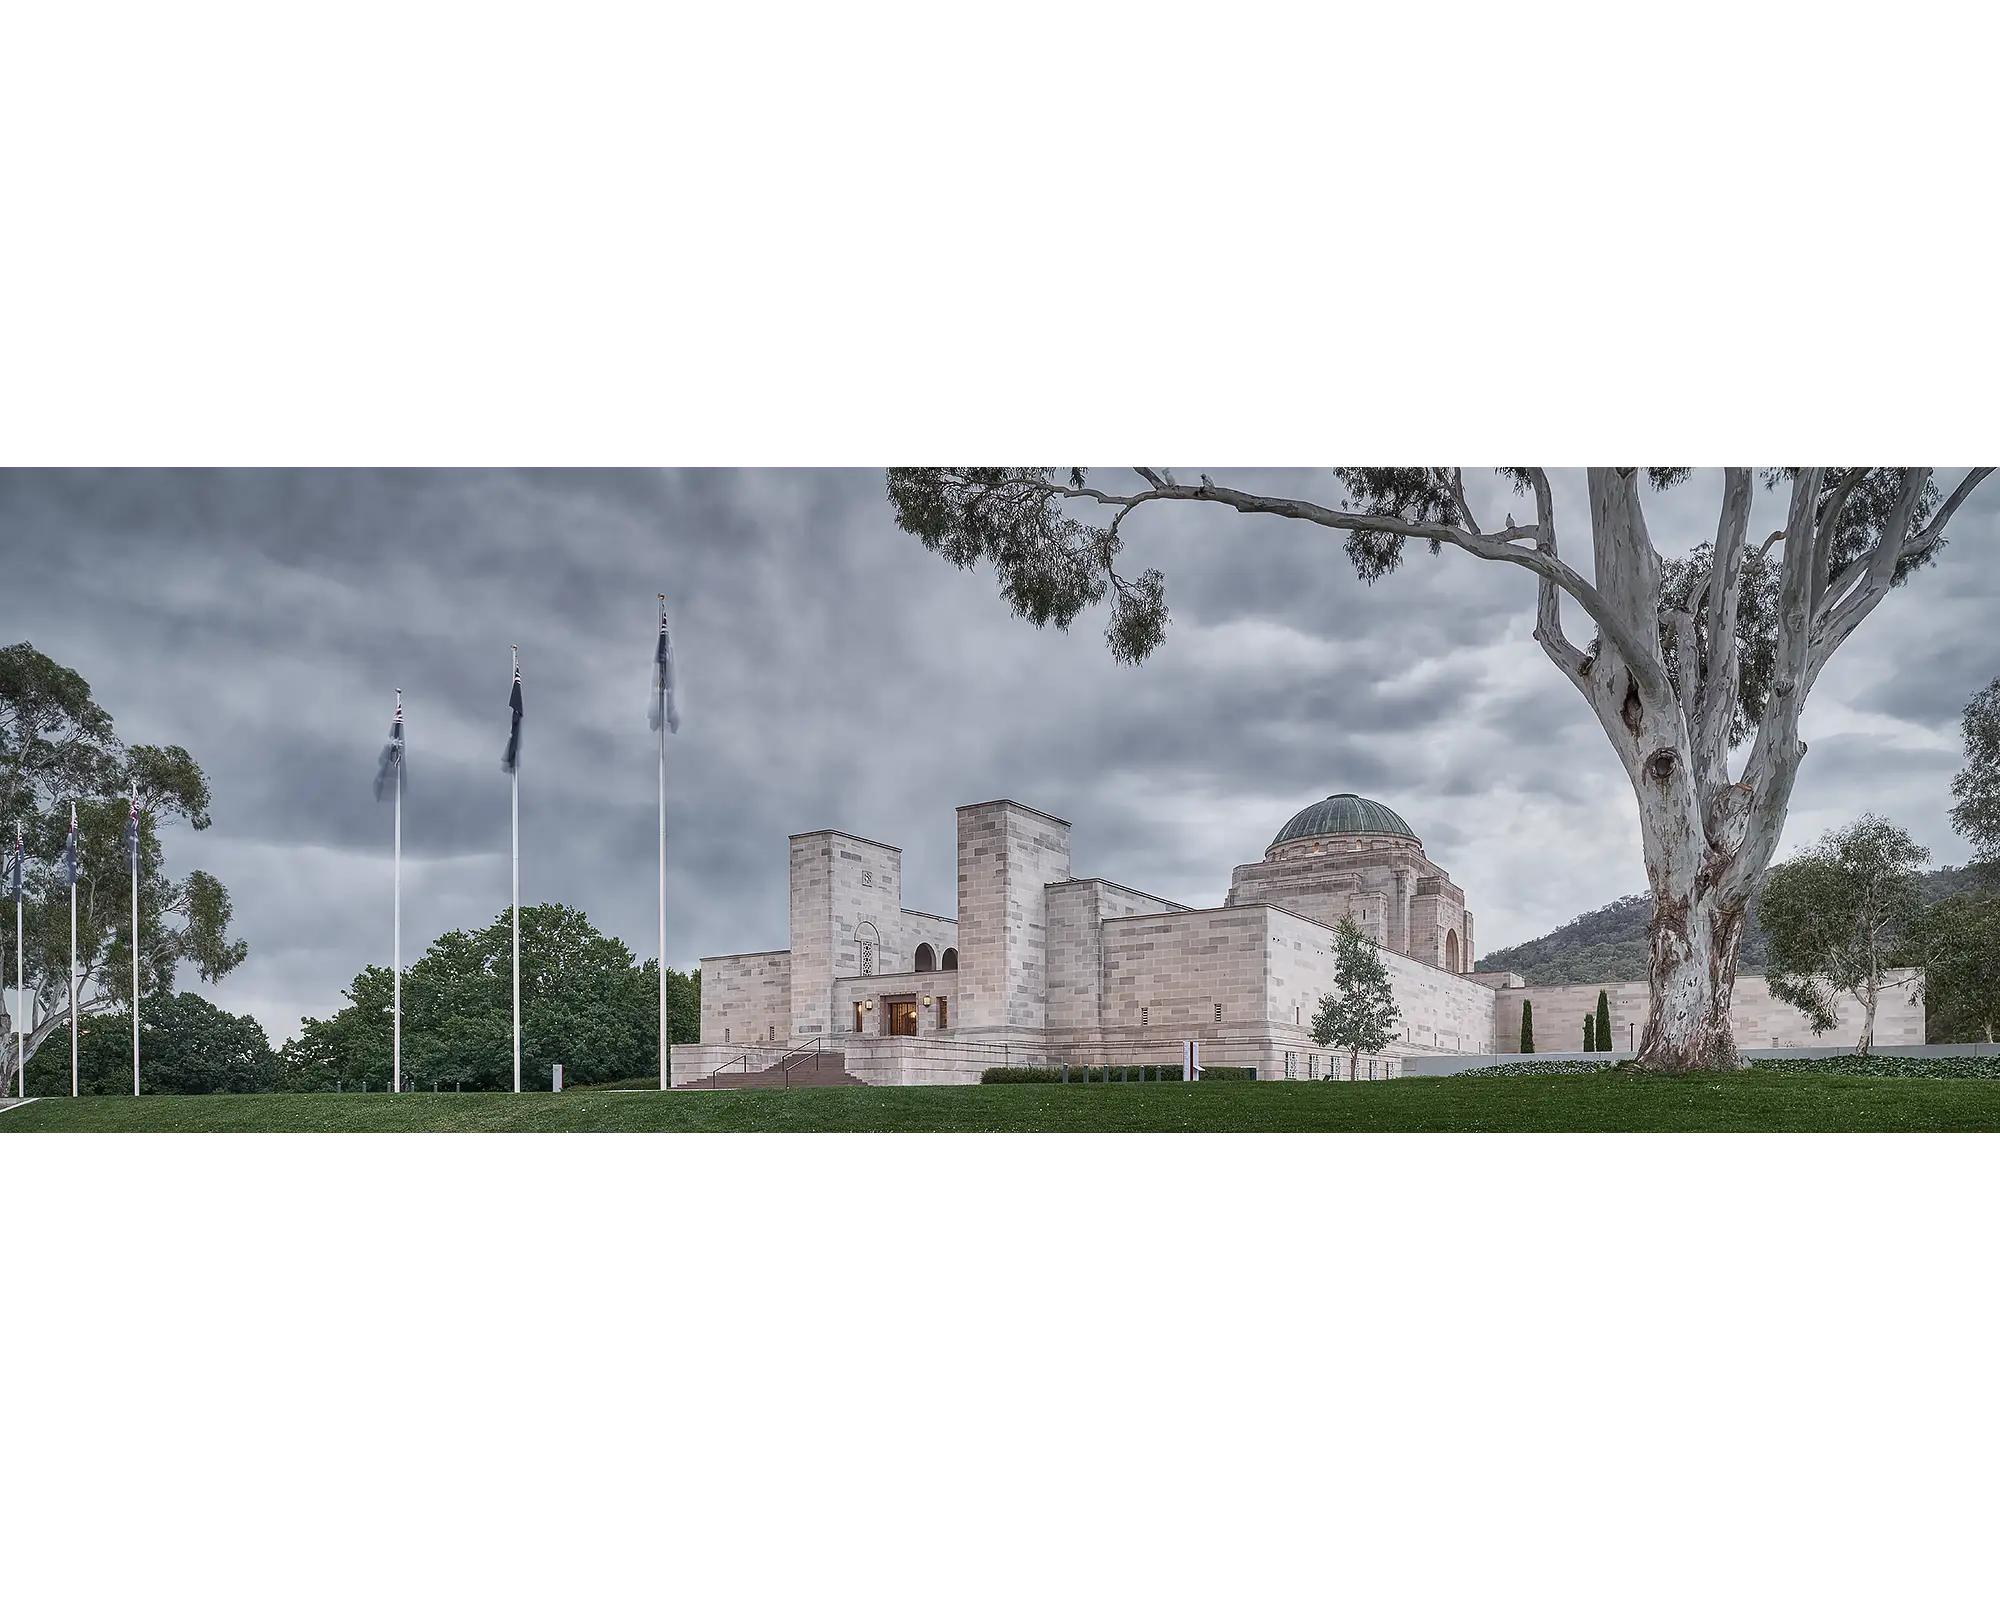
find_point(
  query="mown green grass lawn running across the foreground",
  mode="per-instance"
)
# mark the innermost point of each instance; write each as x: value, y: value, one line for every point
x: 1611, y: 1103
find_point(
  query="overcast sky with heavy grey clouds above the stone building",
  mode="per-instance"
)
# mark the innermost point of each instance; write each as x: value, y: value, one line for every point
x: 841, y: 677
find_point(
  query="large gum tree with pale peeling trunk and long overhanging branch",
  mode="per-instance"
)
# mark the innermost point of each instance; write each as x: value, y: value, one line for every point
x: 1697, y: 667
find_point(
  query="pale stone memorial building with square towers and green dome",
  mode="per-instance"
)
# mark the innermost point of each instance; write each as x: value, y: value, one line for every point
x: 1041, y: 967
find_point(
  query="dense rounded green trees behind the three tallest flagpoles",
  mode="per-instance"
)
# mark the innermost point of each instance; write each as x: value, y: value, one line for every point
x: 583, y: 1003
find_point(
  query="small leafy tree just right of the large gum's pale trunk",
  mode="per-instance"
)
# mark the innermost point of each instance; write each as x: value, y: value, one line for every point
x: 1839, y: 919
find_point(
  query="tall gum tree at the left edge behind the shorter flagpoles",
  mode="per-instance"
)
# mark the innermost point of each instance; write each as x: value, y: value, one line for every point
x: 57, y: 745
